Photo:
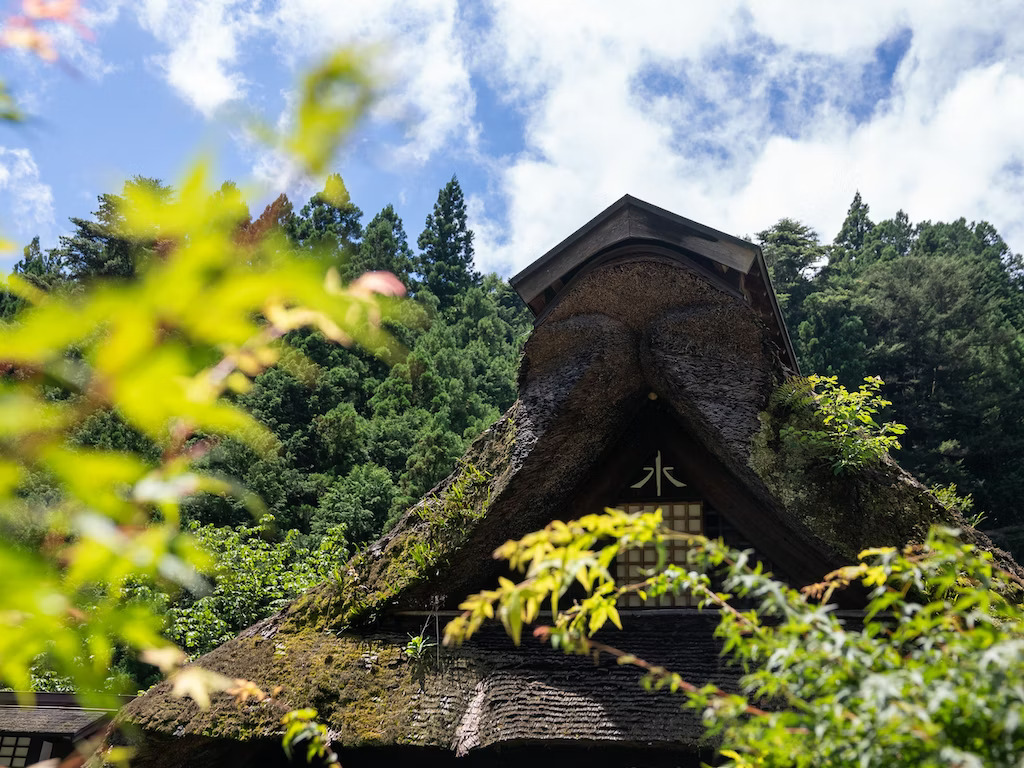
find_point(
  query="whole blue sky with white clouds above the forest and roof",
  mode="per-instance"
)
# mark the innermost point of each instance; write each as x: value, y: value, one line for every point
x: 735, y: 114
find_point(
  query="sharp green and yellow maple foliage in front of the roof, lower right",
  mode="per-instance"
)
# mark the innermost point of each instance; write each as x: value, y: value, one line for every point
x: 931, y: 676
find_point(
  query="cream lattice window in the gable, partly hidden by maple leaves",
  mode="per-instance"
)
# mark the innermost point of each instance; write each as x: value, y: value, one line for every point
x: 633, y: 567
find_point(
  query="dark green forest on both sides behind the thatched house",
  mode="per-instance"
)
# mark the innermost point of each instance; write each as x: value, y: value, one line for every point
x: 936, y: 310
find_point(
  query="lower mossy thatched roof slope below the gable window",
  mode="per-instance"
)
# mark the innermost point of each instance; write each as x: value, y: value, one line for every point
x: 491, y: 694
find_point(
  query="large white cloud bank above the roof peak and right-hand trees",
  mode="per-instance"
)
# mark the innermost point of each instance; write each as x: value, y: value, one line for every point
x: 738, y: 114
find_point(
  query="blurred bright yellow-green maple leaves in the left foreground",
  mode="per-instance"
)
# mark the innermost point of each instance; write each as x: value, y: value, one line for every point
x: 162, y: 361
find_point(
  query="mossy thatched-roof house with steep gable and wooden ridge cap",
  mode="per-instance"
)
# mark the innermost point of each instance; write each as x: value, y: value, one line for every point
x: 648, y: 382
